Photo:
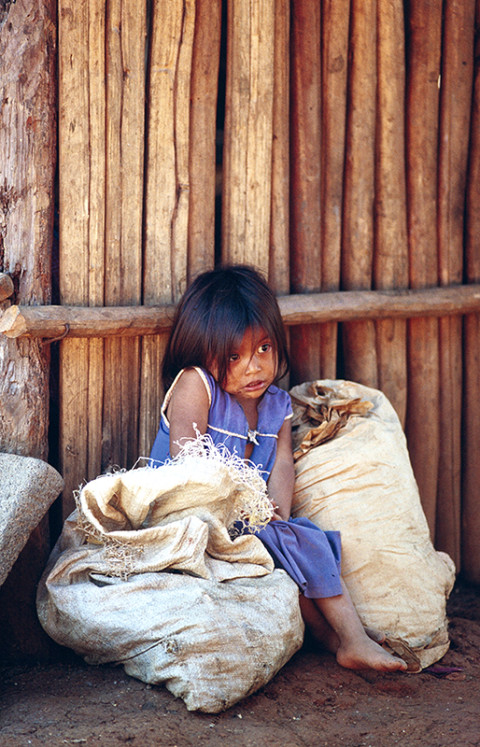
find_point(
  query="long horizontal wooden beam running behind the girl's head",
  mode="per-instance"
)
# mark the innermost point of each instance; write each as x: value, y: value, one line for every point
x: 52, y: 322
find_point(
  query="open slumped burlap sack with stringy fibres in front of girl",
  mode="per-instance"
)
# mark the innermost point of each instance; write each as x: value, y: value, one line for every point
x: 146, y: 574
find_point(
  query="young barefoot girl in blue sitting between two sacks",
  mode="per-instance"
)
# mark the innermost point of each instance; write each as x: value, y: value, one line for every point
x: 226, y: 349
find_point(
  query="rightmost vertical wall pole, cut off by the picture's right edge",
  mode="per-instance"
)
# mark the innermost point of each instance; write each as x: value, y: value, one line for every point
x: 470, y: 544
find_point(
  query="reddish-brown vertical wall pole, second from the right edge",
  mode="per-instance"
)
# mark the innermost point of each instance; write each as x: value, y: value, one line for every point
x: 455, y: 108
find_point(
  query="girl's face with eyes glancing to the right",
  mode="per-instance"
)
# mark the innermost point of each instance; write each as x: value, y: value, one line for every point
x: 252, y: 366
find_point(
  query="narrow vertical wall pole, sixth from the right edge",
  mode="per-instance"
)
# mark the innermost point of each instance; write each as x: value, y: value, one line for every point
x: 335, y: 35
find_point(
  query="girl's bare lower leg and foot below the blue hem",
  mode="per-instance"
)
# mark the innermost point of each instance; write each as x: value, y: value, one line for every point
x: 334, y: 622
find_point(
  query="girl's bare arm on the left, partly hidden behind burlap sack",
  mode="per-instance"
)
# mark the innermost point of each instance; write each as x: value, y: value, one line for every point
x: 187, y: 409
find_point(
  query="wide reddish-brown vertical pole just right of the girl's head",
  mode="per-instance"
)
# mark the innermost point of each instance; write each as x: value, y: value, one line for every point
x: 305, y: 184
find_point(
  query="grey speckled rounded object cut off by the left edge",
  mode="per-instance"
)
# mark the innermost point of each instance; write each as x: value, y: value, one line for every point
x: 28, y: 487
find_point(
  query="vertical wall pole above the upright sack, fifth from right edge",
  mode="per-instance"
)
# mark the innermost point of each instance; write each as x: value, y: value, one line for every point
x: 357, y: 245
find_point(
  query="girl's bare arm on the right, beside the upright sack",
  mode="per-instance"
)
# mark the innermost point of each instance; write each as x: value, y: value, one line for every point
x: 282, y: 476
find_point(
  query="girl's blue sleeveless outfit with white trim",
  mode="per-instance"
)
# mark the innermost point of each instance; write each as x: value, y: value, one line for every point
x: 309, y: 555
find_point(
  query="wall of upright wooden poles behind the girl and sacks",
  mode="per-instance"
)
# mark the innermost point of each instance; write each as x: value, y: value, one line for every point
x: 333, y: 144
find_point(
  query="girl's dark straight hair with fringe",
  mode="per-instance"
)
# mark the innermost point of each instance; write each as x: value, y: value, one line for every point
x: 212, y: 317
